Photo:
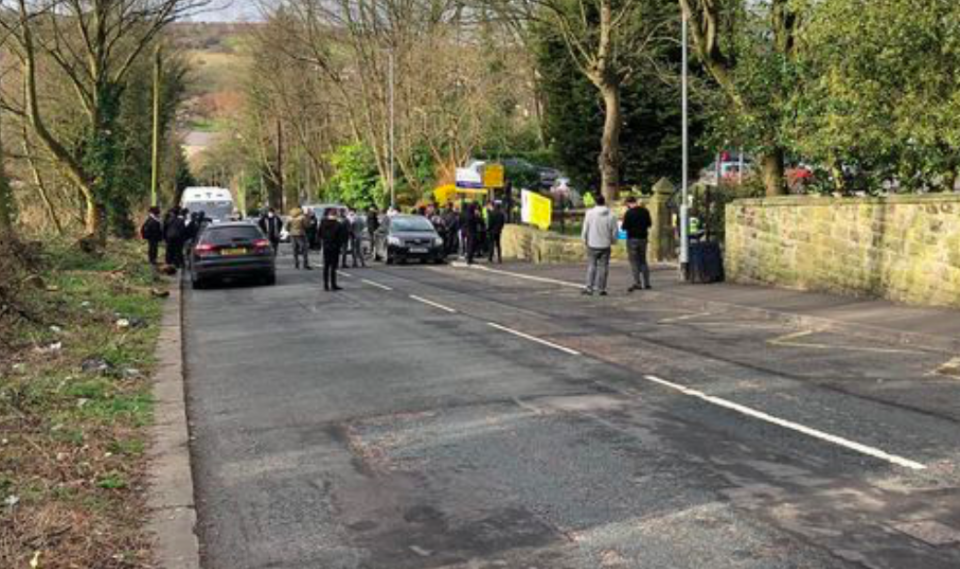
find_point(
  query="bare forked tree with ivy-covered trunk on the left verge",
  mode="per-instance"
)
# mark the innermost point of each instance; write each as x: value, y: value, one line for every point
x: 93, y: 45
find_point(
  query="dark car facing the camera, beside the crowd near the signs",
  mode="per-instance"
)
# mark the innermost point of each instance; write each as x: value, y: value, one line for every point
x: 404, y: 237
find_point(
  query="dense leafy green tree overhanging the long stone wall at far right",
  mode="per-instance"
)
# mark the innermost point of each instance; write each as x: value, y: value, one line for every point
x: 880, y: 100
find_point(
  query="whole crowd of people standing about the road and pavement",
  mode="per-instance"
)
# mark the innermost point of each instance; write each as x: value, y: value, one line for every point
x: 469, y: 230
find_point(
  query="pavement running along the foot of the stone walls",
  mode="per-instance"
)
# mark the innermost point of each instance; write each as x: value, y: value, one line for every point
x: 936, y: 329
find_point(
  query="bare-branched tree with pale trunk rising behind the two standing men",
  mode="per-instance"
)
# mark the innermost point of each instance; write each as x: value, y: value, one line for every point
x: 610, y: 41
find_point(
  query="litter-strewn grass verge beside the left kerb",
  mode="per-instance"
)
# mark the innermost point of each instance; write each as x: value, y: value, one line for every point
x: 75, y: 405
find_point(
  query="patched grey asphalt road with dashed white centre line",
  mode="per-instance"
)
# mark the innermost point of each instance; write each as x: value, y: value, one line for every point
x: 445, y: 417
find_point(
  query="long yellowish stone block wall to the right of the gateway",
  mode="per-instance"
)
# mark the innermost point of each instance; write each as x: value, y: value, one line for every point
x: 904, y: 248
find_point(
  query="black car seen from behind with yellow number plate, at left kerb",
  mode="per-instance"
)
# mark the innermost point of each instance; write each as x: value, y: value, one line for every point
x: 234, y: 249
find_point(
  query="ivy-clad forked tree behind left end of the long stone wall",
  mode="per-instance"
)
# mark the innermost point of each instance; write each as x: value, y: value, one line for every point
x: 750, y: 48
